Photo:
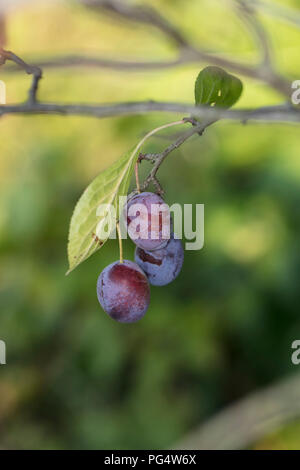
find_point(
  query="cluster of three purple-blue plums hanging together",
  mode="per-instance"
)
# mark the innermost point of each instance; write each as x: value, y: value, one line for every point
x: 123, y: 287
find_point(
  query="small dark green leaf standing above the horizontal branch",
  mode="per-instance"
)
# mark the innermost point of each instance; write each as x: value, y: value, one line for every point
x: 215, y: 87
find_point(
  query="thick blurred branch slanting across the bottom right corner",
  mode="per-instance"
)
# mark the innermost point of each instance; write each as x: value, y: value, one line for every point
x: 242, y: 424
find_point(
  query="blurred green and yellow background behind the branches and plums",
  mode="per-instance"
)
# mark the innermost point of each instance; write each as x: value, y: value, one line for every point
x: 75, y: 378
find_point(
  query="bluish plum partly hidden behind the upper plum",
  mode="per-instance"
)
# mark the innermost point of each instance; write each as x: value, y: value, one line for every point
x: 161, y: 266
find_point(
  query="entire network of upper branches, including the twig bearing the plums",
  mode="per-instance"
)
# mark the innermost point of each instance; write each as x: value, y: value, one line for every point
x: 187, y: 53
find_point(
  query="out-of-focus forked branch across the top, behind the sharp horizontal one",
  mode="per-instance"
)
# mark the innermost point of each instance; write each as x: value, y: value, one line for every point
x: 187, y: 52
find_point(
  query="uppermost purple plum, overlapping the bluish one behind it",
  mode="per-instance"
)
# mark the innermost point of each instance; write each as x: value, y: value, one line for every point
x: 148, y: 221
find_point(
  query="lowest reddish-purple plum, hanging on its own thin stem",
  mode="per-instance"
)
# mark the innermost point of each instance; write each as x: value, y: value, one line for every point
x: 123, y: 291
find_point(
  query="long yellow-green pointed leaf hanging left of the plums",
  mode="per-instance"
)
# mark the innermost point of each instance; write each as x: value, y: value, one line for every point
x: 106, y: 188
